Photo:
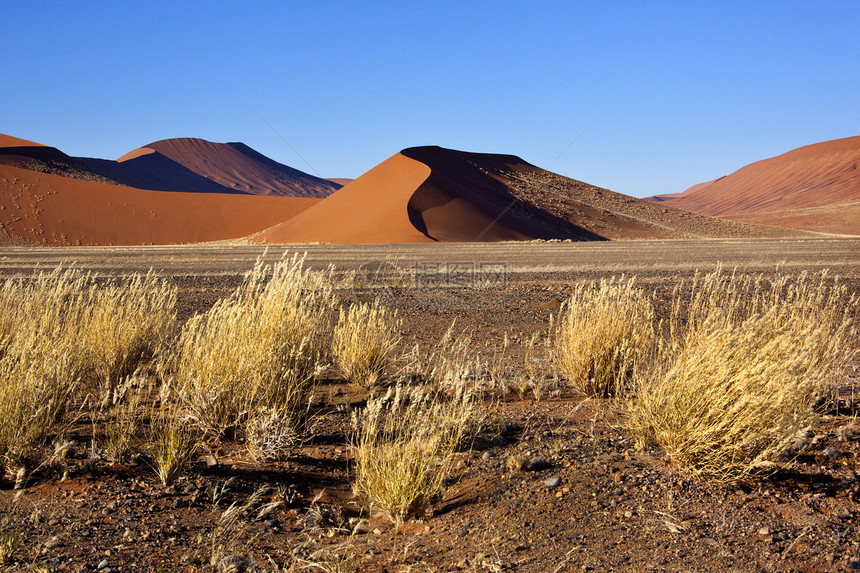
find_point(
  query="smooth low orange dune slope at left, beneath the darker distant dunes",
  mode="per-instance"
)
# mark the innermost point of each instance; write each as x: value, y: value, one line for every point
x: 48, y: 209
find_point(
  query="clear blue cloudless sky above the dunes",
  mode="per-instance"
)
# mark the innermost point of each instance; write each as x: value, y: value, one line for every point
x: 681, y: 92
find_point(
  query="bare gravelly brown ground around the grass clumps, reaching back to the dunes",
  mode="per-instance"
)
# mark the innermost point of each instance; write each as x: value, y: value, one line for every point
x: 615, y: 507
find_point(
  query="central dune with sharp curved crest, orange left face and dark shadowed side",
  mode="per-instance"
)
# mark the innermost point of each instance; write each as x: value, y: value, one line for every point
x: 429, y: 194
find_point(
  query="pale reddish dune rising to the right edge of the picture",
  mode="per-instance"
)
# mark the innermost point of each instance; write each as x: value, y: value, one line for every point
x: 815, y: 187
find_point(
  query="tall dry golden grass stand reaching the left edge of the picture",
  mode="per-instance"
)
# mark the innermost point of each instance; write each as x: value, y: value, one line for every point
x: 64, y: 331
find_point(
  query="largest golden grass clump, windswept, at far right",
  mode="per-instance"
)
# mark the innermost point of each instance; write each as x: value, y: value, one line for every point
x: 741, y: 375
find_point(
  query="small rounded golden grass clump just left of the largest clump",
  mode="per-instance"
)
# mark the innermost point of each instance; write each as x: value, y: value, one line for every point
x: 601, y: 334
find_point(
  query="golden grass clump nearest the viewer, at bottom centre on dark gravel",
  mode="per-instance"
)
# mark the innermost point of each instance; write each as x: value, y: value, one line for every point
x: 403, y: 446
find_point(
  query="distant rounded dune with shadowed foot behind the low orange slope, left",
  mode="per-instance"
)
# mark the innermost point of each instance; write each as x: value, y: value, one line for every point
x: 197, y: 165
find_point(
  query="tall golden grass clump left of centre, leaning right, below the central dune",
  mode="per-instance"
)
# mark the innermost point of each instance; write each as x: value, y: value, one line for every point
x: 256, y: 349
